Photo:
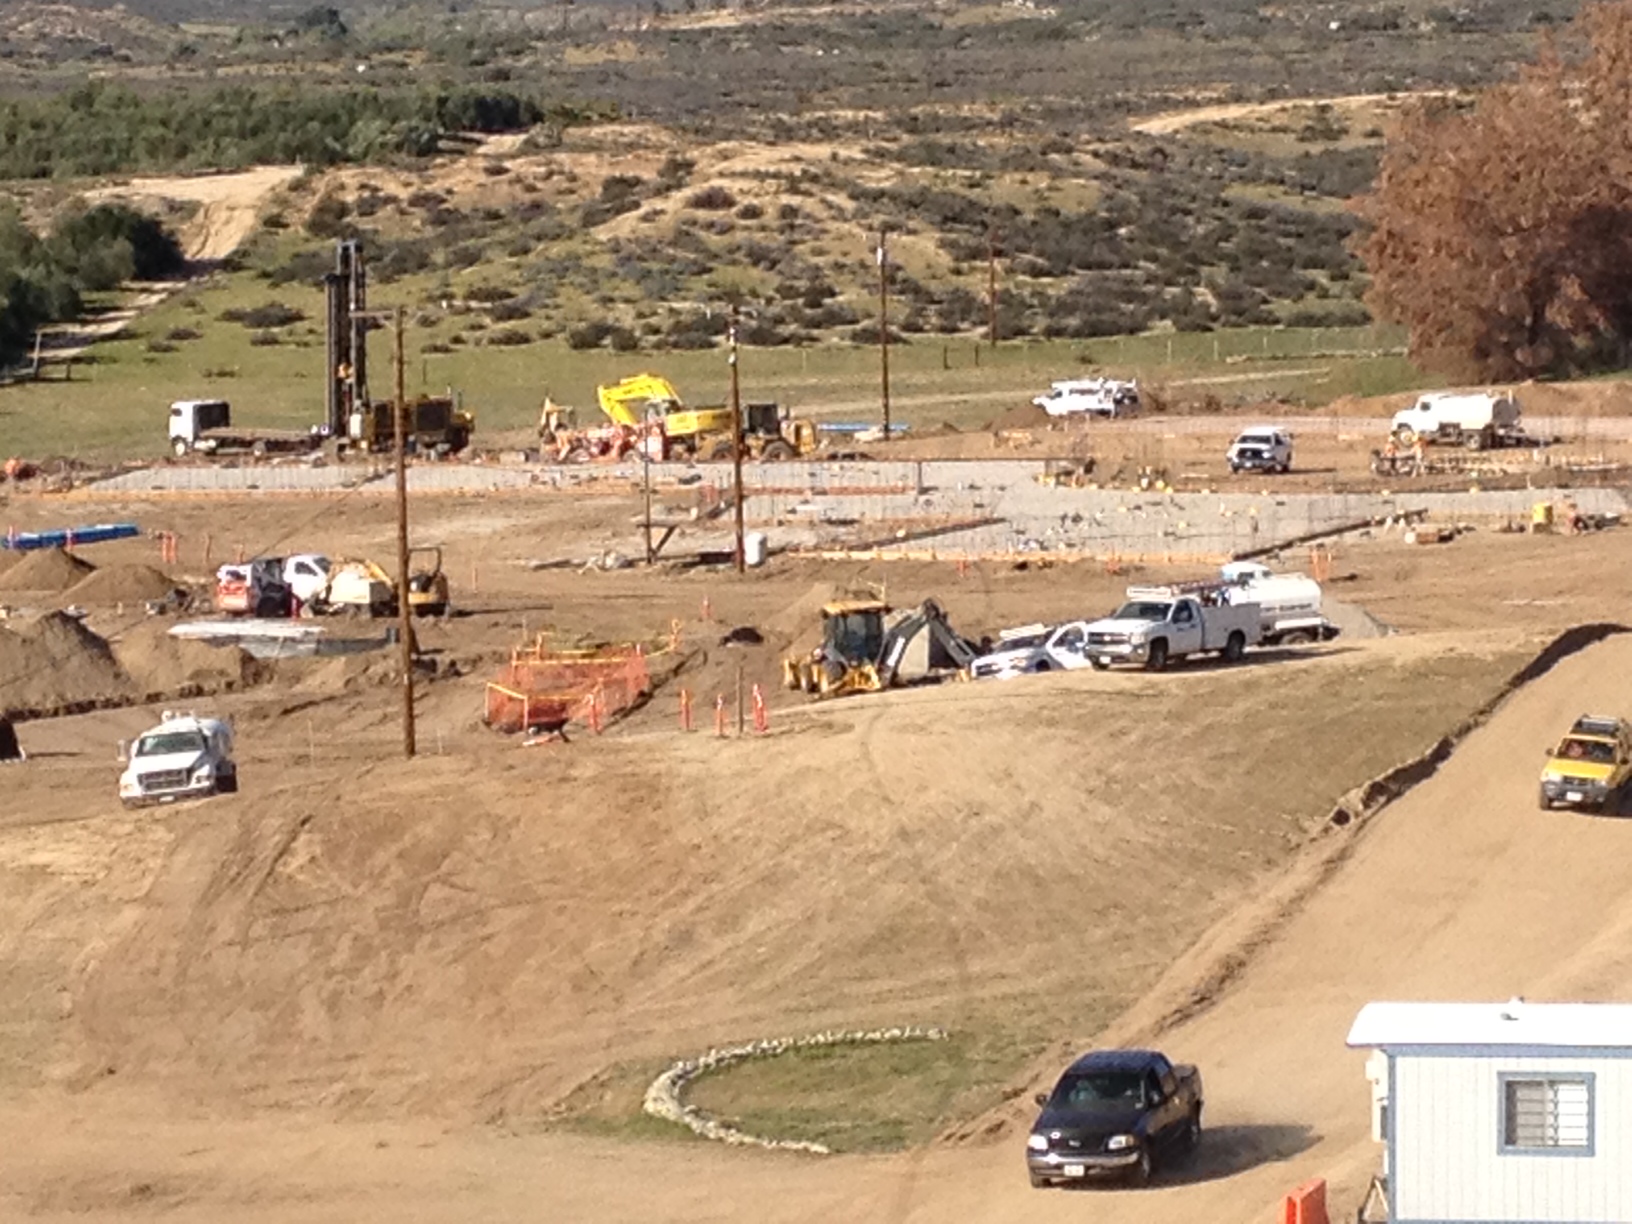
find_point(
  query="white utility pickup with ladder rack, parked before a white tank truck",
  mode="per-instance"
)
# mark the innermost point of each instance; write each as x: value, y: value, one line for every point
x: 1160, y: 624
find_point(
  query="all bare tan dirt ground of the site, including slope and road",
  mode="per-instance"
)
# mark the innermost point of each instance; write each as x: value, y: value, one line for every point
x: 379, y: 990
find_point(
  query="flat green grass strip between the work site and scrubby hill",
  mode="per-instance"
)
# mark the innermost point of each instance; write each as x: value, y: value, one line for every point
x: 113, y: 406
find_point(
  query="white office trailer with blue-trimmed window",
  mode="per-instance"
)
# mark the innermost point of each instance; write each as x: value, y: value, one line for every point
x: 1502, y: 1114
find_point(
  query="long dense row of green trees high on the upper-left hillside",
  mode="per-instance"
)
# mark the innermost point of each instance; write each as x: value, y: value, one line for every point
x: 107, y: 130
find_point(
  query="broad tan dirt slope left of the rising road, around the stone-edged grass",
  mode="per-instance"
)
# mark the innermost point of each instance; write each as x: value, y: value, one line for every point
x: 358, y: 951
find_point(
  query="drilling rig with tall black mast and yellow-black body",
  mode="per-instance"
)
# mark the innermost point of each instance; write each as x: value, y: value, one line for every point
x: 435, y: 424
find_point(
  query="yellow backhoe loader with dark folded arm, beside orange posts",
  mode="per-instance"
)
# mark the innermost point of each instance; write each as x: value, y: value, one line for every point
x: 861, y: 652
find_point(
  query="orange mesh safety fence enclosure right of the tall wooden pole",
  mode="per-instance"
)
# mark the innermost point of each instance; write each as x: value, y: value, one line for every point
x: 549, y: 690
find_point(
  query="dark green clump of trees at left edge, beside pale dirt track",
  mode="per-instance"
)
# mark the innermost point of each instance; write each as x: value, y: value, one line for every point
x: 43, y: 278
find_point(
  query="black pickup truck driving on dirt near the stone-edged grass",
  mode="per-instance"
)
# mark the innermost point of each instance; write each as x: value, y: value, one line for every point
x: 1115, y: 1114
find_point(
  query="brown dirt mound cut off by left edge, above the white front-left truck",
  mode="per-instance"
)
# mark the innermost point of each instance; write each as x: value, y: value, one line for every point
x: 56, y: 663
